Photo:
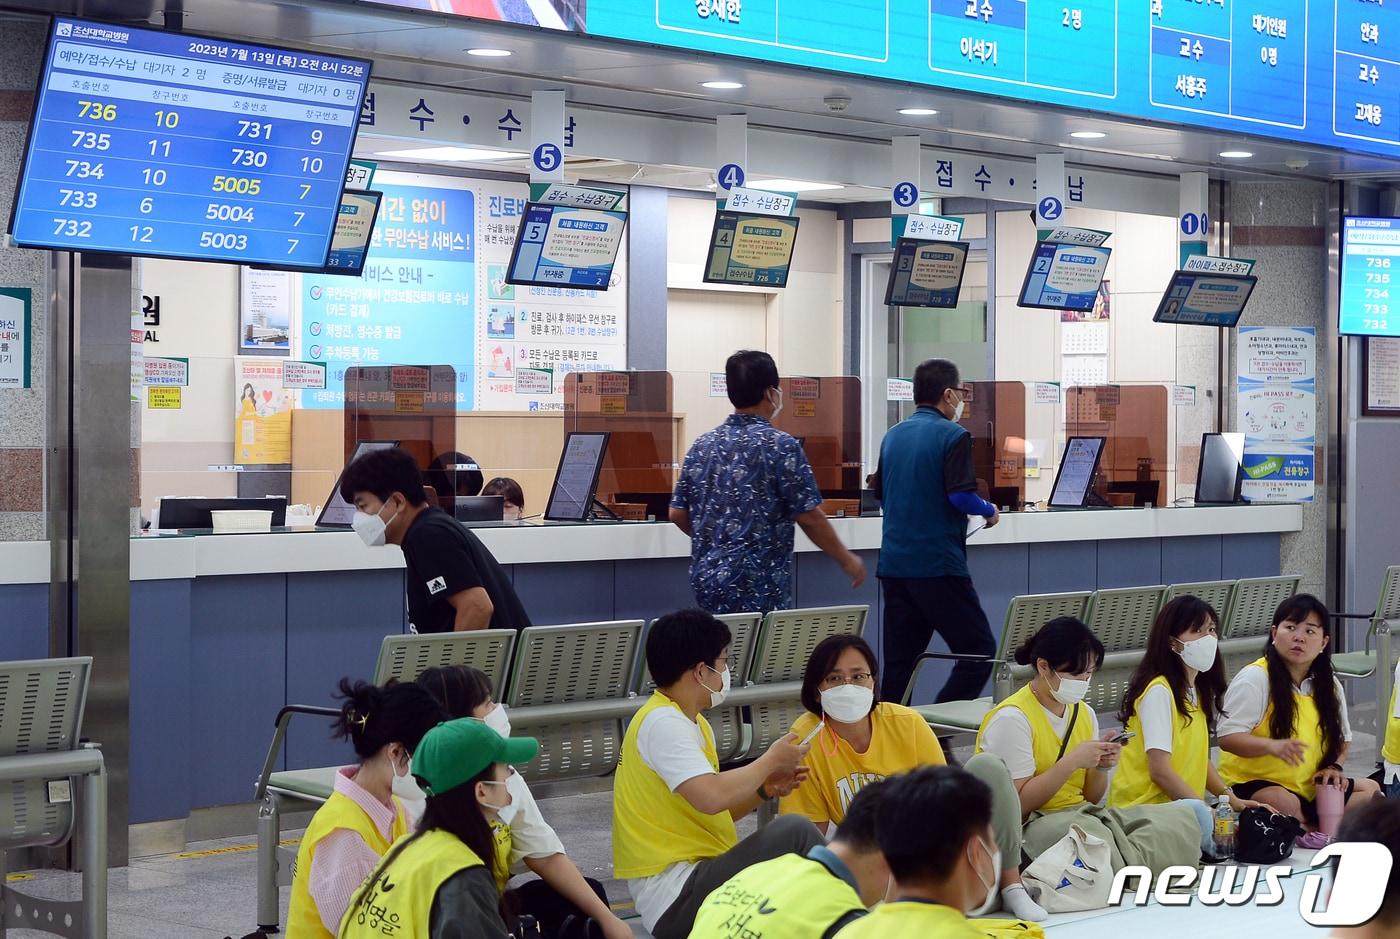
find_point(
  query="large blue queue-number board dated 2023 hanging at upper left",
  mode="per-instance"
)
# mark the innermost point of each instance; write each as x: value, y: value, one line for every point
x: 167, y: 145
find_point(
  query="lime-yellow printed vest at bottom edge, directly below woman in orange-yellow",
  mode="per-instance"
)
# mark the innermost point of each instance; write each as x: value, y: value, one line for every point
x: 787, y: 898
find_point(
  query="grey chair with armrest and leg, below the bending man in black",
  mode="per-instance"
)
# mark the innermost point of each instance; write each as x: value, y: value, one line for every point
x: 281, y: 791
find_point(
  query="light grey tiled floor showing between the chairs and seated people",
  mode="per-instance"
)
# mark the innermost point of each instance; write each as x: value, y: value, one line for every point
x: 209, y: 891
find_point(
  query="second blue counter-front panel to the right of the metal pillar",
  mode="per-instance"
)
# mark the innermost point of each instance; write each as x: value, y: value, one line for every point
x: 239, y: 675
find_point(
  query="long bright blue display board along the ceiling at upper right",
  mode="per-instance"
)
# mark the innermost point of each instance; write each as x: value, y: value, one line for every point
x: 1324, y: 72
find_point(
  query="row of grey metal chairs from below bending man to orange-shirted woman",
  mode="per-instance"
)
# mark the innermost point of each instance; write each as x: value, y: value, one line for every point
x: 575, y: 688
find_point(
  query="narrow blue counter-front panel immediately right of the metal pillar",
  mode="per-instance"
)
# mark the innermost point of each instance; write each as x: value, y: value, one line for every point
x: 163, y: 695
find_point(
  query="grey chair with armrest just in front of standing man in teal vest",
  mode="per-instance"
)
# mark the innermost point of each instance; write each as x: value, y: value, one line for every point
x: 1025, y: 616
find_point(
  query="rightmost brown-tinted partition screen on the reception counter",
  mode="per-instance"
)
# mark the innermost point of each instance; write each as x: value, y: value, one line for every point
x: 1135, y: 421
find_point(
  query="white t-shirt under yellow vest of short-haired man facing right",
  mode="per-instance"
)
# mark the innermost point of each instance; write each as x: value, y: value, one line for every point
x: 673, y: 747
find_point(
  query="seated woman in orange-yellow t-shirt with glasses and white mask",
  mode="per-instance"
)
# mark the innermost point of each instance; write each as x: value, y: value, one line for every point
x: 859, y: 742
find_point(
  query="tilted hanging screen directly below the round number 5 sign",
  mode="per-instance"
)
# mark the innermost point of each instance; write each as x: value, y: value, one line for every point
x: 566, y: 247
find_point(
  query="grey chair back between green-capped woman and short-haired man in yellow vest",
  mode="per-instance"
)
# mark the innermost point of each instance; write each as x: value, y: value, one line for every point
x: 572, y: 689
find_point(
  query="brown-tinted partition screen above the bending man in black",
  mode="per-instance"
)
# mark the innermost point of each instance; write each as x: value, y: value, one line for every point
x: 416, y: 407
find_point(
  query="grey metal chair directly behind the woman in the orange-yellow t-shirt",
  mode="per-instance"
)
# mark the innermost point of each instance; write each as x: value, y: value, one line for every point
x: 785, y: 644
